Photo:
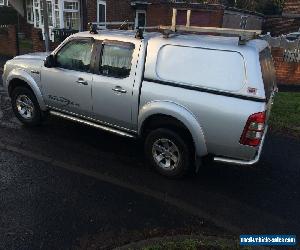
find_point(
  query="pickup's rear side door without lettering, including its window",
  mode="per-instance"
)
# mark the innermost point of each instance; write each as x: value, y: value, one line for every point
x: 113, y: 84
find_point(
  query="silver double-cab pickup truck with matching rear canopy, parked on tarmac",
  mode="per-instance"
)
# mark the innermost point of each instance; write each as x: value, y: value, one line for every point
x: 187, y: 96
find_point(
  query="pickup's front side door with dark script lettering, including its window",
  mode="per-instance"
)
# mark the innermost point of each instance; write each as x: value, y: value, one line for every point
x: 67, y: 86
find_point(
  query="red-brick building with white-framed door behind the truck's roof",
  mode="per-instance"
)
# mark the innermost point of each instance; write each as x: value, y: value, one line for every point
x: 152, y: 12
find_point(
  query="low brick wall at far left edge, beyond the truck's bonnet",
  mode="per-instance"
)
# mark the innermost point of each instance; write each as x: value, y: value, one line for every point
x: 8, y: 41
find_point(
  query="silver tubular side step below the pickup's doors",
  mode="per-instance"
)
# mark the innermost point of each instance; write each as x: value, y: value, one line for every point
x: 91, y: 124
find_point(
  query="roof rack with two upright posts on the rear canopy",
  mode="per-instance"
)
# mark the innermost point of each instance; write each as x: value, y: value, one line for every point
x: 243, y: 35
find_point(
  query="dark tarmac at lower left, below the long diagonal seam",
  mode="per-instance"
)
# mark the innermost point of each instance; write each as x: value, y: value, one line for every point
x: 46, y: 207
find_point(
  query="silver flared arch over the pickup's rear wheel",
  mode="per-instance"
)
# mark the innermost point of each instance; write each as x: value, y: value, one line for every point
x: 172, y: 112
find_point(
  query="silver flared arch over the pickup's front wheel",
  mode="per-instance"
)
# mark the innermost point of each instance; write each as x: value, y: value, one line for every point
x: 22, y: 78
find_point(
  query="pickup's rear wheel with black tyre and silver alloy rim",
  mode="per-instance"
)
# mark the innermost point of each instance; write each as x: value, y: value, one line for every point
x: 168, y: 152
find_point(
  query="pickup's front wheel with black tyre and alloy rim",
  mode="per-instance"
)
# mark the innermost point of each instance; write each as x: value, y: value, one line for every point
x: 26, y: 107
